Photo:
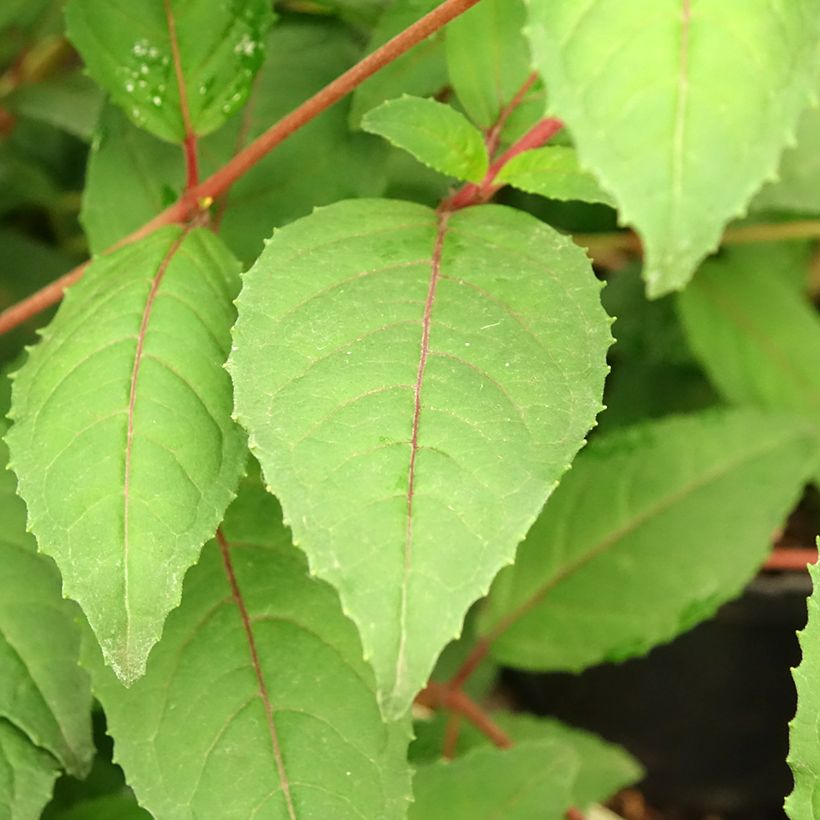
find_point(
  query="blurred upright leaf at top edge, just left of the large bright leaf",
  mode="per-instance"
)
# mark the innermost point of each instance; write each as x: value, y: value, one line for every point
x: 488, y: 59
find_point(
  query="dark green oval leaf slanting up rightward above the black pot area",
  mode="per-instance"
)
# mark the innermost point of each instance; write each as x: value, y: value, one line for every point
x: 690, y: 503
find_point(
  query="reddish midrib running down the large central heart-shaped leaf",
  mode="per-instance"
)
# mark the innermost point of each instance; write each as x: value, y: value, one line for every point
x: 435, y: 274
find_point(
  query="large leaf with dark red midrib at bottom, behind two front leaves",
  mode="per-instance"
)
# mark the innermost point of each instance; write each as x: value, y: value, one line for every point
x: 256, y: 702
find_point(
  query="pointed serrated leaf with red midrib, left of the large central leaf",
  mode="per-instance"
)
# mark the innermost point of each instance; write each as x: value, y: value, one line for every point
x: 123, y: 443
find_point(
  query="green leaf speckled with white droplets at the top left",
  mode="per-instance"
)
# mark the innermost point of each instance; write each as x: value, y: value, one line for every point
x: 130, y: 52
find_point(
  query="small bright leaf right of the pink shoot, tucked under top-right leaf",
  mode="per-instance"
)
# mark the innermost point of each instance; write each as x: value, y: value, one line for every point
x: 552, y: 172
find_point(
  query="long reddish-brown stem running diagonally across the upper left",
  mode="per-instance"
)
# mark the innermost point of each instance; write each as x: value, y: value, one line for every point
x: 201, y: 196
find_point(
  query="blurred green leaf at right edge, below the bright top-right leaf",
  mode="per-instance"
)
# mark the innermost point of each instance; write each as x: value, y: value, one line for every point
x: 756, y: 335
